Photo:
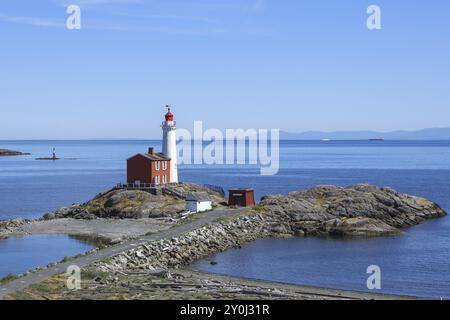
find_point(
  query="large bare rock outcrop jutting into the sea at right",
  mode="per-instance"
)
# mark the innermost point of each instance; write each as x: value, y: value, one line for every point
x: 352, y: 211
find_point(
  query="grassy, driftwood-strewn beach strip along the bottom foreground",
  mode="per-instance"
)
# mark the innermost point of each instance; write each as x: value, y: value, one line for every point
x: 179, y: 284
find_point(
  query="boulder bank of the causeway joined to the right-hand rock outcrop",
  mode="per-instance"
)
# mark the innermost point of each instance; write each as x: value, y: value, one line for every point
x: 360, y: 210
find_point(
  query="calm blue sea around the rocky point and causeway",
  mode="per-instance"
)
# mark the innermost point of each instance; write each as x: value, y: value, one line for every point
x: 416, y: 263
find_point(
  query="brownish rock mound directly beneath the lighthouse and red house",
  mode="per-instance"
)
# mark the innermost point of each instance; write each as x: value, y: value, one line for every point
x: 136, y: 204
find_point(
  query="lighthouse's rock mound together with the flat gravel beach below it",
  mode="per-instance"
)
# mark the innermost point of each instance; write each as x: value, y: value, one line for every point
x: 115, y: 215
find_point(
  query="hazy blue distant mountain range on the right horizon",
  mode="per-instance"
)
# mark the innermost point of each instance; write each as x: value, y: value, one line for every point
x: 424, y: 134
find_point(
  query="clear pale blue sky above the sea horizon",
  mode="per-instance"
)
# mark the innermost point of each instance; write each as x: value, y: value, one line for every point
x: 295, y: 65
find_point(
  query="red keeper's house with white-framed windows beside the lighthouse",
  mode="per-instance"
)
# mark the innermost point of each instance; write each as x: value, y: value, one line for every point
x: 148, y: 168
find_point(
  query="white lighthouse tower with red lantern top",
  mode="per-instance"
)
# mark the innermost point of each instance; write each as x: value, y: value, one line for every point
x: 169, y: 127
